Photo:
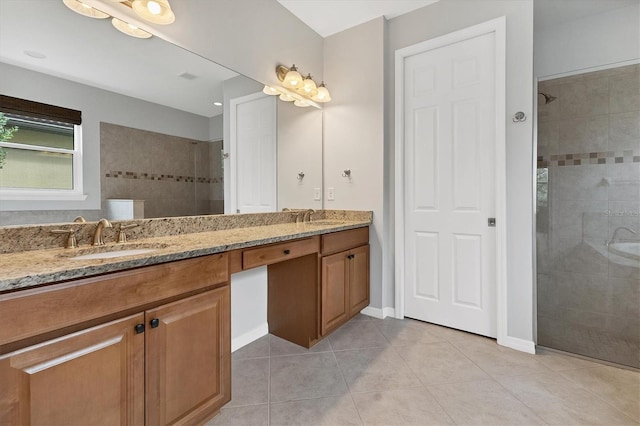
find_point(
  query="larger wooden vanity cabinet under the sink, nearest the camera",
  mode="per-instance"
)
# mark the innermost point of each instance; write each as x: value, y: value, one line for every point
x: 168, y: 363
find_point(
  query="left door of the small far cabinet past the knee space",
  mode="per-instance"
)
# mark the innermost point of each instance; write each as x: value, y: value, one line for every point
x: 335, y: 291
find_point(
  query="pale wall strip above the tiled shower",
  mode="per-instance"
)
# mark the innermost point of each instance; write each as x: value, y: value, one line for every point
x: 593, y: 41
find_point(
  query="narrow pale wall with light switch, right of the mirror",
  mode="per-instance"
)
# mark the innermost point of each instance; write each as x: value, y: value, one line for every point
x: 354, y: 131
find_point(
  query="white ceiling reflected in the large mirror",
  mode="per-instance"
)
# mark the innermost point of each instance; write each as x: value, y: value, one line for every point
x: 92, y: 52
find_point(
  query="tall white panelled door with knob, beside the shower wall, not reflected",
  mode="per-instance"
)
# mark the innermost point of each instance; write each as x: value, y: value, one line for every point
x: 449, y: 165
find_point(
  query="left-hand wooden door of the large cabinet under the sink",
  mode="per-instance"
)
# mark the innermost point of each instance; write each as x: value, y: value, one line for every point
x: 92, y: 377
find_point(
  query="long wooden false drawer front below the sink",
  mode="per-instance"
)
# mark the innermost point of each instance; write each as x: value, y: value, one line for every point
x: 27, y: 313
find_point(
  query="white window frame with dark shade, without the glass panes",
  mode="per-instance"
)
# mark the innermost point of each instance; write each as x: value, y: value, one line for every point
x: 39, y: 110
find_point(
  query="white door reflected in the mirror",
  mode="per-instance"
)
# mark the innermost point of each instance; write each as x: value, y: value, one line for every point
x: 253, y: 153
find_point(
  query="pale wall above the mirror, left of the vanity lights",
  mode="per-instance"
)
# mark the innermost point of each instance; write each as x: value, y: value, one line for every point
x: 251, y: 37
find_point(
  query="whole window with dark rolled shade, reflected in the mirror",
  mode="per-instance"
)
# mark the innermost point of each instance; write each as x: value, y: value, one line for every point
x: 42, y: 151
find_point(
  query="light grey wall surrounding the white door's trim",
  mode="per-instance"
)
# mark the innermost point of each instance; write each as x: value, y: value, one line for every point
x: 447, y: 16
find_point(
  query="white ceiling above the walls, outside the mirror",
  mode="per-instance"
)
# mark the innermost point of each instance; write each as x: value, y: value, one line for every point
x: 327, y: 17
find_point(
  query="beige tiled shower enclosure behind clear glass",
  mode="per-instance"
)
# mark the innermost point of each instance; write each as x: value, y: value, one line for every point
x: 588, y: 196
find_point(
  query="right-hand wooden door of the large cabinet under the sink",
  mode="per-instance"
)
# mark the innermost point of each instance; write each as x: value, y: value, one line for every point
x: 188, y: 358
